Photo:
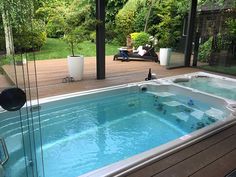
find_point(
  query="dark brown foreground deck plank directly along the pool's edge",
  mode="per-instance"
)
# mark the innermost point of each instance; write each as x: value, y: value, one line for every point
x: 175, y: 158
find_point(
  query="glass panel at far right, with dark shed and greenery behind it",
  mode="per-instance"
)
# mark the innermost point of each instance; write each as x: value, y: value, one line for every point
x: 216, y: 28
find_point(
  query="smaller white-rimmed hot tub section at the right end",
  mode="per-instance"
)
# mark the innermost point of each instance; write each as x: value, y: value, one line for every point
x: 214, y: 84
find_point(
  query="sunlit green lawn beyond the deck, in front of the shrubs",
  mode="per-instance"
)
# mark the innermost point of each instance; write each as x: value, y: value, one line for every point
x: 57, y: 48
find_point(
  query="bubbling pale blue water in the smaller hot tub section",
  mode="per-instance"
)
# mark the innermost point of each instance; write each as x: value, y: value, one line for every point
x: 219, y: 87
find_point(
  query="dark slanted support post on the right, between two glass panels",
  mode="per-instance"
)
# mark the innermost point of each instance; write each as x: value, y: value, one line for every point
x: 190, y: 32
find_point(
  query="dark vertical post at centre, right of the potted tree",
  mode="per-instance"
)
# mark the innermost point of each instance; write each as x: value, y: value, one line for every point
x: 100, y: 38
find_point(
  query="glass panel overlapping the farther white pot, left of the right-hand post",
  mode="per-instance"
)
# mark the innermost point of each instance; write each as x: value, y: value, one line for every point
x: 174, y: 57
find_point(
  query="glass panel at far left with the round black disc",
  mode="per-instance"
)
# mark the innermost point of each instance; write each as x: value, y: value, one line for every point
x: 20, y: 129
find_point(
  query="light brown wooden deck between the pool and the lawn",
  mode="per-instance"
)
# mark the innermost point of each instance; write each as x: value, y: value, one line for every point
x: 51, y: 72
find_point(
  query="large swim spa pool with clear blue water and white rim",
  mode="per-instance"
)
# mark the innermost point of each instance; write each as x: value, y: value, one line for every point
x: 114, y: 129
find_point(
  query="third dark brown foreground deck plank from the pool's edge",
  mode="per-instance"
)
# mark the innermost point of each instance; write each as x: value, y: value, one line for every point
x: 220, y: 167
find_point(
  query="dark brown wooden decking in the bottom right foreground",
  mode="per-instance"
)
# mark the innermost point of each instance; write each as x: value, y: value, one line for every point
x: 195, y: 159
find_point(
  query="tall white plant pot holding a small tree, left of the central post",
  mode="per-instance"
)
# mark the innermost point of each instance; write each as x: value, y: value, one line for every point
x: 76, y: 67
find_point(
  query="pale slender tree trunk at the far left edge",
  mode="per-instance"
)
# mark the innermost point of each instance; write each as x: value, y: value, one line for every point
x: 8, y: 34
